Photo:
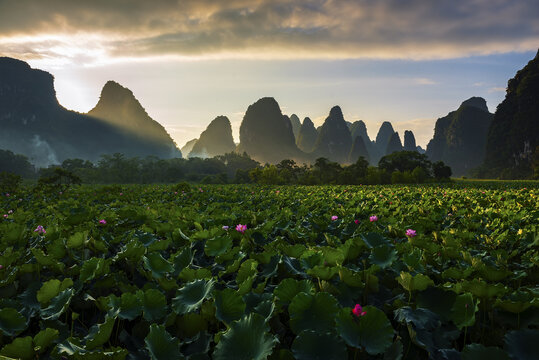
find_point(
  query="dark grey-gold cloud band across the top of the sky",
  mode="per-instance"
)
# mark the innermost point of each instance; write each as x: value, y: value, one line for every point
x: 279, y: 28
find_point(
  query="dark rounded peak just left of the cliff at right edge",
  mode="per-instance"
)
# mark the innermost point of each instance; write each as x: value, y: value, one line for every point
x: 460, y: 137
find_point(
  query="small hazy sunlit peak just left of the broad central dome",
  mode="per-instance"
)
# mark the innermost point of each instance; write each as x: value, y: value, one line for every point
x: 215, y: 140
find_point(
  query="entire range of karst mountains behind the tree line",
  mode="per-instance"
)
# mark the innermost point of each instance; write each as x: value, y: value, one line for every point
x: 468, y: 139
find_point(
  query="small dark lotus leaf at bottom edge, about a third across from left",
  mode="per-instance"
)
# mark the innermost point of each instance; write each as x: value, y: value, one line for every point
x: 161, y: 345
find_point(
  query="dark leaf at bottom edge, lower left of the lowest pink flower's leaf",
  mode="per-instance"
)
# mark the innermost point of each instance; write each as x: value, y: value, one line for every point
x: 312, y: 345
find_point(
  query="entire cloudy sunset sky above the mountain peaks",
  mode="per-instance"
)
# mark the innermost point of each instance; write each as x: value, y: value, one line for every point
x: 188, y: 61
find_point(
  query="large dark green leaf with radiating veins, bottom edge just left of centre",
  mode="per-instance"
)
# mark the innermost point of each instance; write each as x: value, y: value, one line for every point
x: 247, y: 339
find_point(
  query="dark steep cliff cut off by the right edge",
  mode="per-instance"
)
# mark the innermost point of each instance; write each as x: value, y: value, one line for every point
x: 513, y: 136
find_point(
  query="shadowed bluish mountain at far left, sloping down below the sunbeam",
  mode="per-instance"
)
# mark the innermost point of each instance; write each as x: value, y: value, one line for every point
x: 35, y: 125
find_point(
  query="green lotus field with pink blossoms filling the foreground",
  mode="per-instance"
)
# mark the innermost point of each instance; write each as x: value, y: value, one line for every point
x: 258, y: 272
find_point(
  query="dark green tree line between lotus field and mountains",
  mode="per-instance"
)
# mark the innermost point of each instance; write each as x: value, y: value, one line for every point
x: 398, y: 167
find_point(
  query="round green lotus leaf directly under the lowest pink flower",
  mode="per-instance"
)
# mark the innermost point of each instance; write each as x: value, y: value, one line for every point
x: 373, y: 331
